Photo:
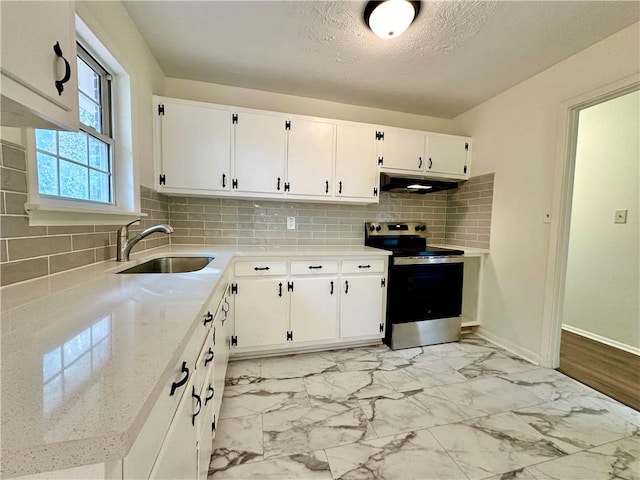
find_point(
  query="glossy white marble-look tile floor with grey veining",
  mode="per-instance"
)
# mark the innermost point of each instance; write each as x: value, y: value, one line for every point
x: 465, y: 410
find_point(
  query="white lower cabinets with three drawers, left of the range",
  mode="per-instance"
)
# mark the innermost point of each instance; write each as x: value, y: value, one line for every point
x: 318, y: 302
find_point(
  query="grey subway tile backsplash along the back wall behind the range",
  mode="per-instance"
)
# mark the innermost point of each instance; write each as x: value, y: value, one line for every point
x: 213, y: 221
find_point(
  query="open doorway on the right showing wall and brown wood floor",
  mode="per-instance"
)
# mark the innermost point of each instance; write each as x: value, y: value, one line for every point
x: 599, y: 307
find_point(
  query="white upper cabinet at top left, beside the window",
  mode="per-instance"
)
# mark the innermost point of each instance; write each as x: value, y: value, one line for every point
x: 30, y: 65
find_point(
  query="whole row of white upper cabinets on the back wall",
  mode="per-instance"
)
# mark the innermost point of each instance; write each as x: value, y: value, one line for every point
x: 219, y: 150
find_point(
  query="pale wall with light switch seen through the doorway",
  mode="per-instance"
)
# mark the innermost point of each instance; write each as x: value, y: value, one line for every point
x: 602, y: 294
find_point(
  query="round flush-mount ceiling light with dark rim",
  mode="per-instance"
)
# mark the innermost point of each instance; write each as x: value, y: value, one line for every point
x: 390, y: 18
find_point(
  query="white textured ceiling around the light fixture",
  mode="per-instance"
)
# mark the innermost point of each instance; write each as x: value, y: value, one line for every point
x: 456, y: 55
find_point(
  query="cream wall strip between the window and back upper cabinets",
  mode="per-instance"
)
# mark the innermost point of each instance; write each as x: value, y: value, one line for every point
x: 111, y: 23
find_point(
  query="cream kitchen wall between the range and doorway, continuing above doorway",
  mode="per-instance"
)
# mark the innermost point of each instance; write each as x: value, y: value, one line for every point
x: 515, y: 135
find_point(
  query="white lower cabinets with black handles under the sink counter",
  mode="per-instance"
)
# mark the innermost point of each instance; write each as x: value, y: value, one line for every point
x: 176, y: 439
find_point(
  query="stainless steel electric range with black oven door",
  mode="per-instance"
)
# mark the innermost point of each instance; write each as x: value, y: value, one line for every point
x: 424, y: 294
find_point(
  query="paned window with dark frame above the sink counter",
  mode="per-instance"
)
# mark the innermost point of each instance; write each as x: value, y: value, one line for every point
x: 79, y: 165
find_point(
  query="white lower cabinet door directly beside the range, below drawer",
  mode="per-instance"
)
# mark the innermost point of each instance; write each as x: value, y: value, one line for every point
x: 361, y: 306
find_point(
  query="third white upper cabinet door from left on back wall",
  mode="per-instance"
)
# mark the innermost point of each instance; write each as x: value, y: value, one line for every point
x: 311, y: 150
